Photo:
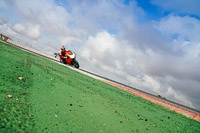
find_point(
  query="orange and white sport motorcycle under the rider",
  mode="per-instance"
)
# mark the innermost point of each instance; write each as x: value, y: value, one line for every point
x: 70, y: 59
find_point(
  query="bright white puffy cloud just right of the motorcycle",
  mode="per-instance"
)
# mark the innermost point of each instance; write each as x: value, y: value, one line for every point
x: 118, y: 57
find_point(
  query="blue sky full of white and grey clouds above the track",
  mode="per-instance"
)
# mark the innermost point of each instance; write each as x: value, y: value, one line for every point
x: 152, y: 45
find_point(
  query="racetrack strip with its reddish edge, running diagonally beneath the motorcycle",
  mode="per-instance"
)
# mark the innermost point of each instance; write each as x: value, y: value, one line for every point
x: 187, y: 111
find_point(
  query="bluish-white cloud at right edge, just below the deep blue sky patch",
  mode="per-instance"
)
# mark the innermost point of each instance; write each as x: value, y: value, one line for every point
x: 185, y: 27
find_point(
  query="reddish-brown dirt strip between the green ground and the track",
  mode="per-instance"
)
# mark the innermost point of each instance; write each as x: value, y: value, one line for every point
x: 185, y: 112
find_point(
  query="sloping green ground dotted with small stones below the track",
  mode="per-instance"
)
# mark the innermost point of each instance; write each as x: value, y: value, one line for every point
x: 55, y: 99
